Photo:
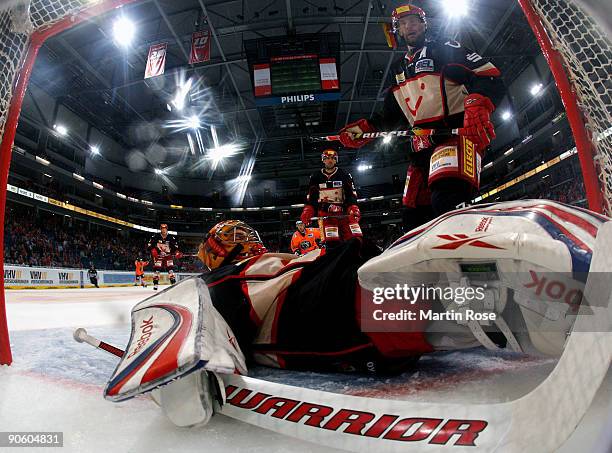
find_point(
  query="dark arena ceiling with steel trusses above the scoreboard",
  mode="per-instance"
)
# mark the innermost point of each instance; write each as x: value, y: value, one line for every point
x: 101, y: 82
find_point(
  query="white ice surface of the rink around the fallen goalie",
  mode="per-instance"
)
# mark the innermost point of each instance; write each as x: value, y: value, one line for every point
x: 55, y: 384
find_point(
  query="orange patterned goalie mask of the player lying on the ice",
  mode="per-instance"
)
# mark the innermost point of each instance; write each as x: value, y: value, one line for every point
x: 230, y: 241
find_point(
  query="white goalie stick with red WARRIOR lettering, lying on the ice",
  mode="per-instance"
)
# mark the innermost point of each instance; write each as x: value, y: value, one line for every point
x: 543, y: 418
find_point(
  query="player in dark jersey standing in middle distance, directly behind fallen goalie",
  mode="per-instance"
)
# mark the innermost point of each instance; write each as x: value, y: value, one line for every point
x: 332, y: 195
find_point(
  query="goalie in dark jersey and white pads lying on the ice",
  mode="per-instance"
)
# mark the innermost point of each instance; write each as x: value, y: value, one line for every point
x: 321, y: 311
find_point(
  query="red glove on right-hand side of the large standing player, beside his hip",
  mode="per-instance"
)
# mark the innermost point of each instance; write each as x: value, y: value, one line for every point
x: 477, y: 126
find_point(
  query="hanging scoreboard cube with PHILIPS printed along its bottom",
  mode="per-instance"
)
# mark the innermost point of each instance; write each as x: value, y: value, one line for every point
x: 298, y: 69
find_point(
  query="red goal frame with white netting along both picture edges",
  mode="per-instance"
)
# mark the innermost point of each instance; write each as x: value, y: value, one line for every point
x: 577, y: 49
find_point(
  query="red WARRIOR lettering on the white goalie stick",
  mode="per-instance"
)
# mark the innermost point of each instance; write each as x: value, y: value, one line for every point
x: 435, y: 431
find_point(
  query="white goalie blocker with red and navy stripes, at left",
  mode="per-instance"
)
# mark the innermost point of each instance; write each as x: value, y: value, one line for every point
x: 174, y: 333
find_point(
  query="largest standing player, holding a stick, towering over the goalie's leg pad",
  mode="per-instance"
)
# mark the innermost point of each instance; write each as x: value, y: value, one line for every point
x: 438, y: 84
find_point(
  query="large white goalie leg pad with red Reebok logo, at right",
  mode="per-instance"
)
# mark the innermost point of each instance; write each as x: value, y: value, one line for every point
x: 538, y: 249
